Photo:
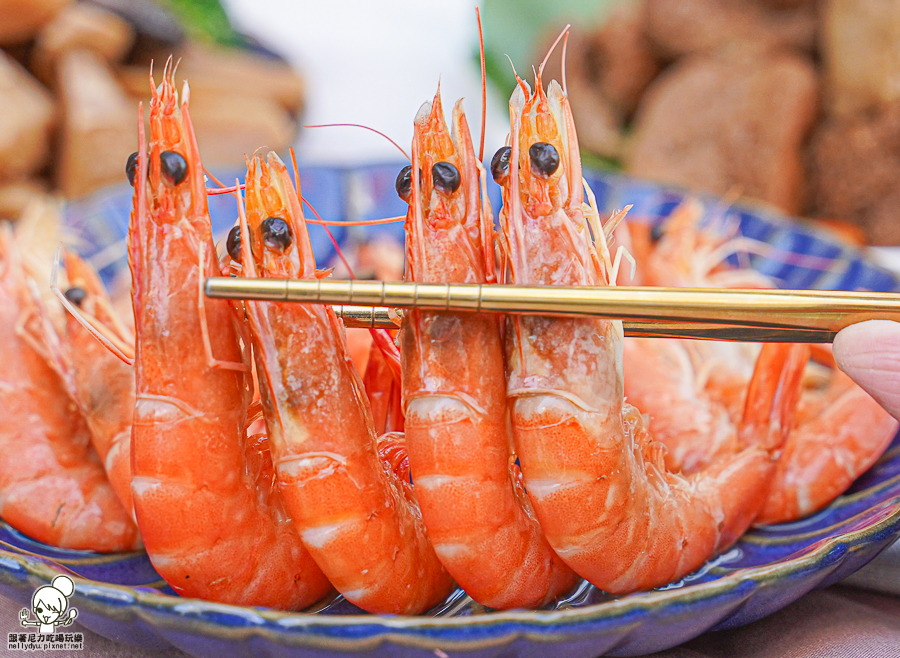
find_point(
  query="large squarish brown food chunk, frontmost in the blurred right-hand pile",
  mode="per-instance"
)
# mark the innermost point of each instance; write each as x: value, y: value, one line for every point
x: 722, y: 122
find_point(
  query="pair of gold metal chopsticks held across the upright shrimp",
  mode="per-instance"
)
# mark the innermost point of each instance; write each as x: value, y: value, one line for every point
x: 748, y: 315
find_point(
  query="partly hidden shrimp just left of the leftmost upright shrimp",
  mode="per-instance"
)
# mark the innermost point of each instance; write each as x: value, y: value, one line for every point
x: 103, y: 385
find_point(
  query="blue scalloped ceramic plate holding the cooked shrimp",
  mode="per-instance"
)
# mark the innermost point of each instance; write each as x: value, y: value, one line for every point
x: 121, y: 597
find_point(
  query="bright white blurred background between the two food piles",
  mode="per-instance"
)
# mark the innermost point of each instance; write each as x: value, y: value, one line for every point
x: 373, y: 62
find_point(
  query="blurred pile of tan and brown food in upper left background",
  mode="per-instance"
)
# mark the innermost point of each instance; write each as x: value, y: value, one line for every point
x: 67, y: 121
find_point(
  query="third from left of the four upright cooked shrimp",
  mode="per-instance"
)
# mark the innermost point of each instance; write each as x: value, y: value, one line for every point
x: 454, y: 390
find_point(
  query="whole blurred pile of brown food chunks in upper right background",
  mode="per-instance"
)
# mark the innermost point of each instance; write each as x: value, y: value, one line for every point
x: 792, y: 102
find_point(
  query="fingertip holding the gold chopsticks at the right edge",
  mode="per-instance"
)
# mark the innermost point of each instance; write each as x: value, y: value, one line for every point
x: 869, y: 352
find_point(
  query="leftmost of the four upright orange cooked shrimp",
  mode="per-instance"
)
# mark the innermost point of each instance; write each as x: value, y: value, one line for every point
x: 212, y: 524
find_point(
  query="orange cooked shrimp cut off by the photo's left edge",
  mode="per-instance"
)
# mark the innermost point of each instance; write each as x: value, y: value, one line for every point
x: 52, y: 485
